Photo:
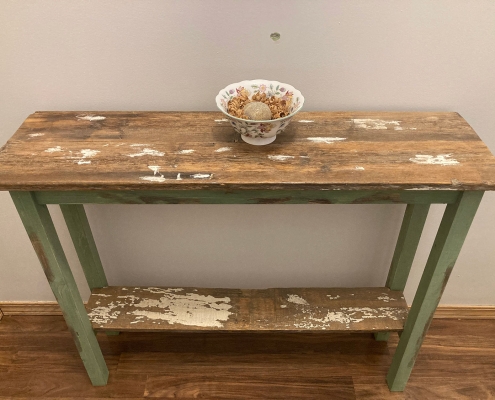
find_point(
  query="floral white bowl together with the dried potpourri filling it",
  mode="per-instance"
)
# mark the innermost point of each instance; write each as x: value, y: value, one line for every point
x: 276, y: 100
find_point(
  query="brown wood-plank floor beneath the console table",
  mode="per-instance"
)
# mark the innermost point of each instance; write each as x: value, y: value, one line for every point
x: 38, y: 359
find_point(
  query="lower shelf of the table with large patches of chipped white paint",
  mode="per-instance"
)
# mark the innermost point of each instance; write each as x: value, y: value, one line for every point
x: 116, y: 308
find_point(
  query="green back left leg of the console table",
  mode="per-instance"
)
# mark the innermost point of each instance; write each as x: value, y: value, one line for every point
x: 84, y: 243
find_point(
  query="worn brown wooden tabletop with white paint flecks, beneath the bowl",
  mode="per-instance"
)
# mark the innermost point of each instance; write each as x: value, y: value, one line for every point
x: 200, y: 150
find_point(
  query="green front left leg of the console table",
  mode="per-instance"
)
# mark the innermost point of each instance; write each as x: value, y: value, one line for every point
x: 39, y: 226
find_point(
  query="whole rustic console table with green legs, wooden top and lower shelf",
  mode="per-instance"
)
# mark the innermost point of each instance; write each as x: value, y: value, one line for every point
x: 418, y: 159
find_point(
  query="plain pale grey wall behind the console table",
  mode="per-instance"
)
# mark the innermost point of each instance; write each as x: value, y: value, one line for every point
x: 176, y: 55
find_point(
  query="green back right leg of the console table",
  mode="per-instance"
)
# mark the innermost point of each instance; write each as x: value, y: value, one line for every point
x: 405, y: 250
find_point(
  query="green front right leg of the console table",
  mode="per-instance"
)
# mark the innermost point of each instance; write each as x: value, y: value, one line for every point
x: 450, y: 237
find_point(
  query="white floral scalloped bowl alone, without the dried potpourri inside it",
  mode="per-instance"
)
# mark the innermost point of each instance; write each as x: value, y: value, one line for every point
x: 260, y: 132
